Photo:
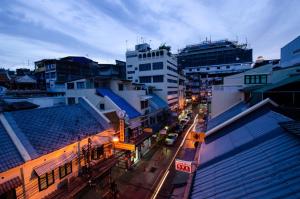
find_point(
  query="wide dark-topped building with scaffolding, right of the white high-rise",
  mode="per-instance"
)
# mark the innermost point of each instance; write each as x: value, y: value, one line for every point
x: 209, y: 62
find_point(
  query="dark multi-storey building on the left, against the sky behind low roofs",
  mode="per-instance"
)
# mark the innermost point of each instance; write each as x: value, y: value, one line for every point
x: 54, y: 73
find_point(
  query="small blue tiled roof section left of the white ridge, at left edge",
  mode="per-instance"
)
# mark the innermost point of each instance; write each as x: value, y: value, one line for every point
x: 9, y: 155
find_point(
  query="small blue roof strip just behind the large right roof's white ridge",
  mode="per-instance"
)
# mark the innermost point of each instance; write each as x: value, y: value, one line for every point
x: 233, y: 111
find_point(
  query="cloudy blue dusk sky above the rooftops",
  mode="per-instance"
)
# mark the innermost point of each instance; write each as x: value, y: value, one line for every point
x: 33, y: 30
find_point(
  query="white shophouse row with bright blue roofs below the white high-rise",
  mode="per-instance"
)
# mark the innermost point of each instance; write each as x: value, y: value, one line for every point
x: 142, y: 110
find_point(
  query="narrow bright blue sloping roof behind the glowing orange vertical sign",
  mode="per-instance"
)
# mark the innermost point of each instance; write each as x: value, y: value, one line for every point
x: 120, y: 102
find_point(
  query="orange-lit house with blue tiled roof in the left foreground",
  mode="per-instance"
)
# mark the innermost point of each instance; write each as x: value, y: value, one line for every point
x: 53, y: 152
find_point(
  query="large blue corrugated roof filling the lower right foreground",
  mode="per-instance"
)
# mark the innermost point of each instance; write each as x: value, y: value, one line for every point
x: 256, y: 158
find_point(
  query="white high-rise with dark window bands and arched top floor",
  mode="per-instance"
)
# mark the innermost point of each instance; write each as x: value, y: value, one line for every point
x: 157, y: 69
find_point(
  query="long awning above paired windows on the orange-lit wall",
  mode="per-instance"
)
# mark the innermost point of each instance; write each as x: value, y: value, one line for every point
x: 53, y: 164
